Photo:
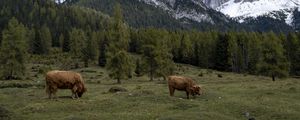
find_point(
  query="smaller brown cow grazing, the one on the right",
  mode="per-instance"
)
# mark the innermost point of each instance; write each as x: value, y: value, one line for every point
x: 183, y: 84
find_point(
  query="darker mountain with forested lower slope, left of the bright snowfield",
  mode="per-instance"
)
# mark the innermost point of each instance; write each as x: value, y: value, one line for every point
x: 170, y: 14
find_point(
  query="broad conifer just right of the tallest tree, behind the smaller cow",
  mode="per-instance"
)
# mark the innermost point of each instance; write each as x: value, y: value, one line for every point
x: 157, y: 55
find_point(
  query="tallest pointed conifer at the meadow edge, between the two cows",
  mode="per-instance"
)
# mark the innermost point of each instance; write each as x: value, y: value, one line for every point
x: 119, y: 62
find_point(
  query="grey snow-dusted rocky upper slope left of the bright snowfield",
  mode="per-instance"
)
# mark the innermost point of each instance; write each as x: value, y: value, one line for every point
x: 194, y: 10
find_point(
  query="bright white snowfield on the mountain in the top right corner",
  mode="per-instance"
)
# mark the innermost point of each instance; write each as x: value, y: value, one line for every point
x: 242, y: 9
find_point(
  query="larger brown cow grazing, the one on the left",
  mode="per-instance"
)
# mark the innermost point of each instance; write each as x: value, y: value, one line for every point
x: 64, y: 80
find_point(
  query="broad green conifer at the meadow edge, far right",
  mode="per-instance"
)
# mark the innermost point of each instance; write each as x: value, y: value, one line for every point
x: 272, y: 61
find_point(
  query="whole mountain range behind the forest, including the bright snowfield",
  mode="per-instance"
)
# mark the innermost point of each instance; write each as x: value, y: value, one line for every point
x: 220, y: 15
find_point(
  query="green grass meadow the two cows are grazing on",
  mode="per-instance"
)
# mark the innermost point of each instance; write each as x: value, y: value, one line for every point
x: 230, y: 97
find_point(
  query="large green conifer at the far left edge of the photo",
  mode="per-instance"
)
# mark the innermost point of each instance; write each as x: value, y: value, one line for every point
x: 13, y: 50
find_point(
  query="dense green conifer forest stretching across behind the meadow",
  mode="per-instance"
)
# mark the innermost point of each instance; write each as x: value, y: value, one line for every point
x: 37, y: 27
